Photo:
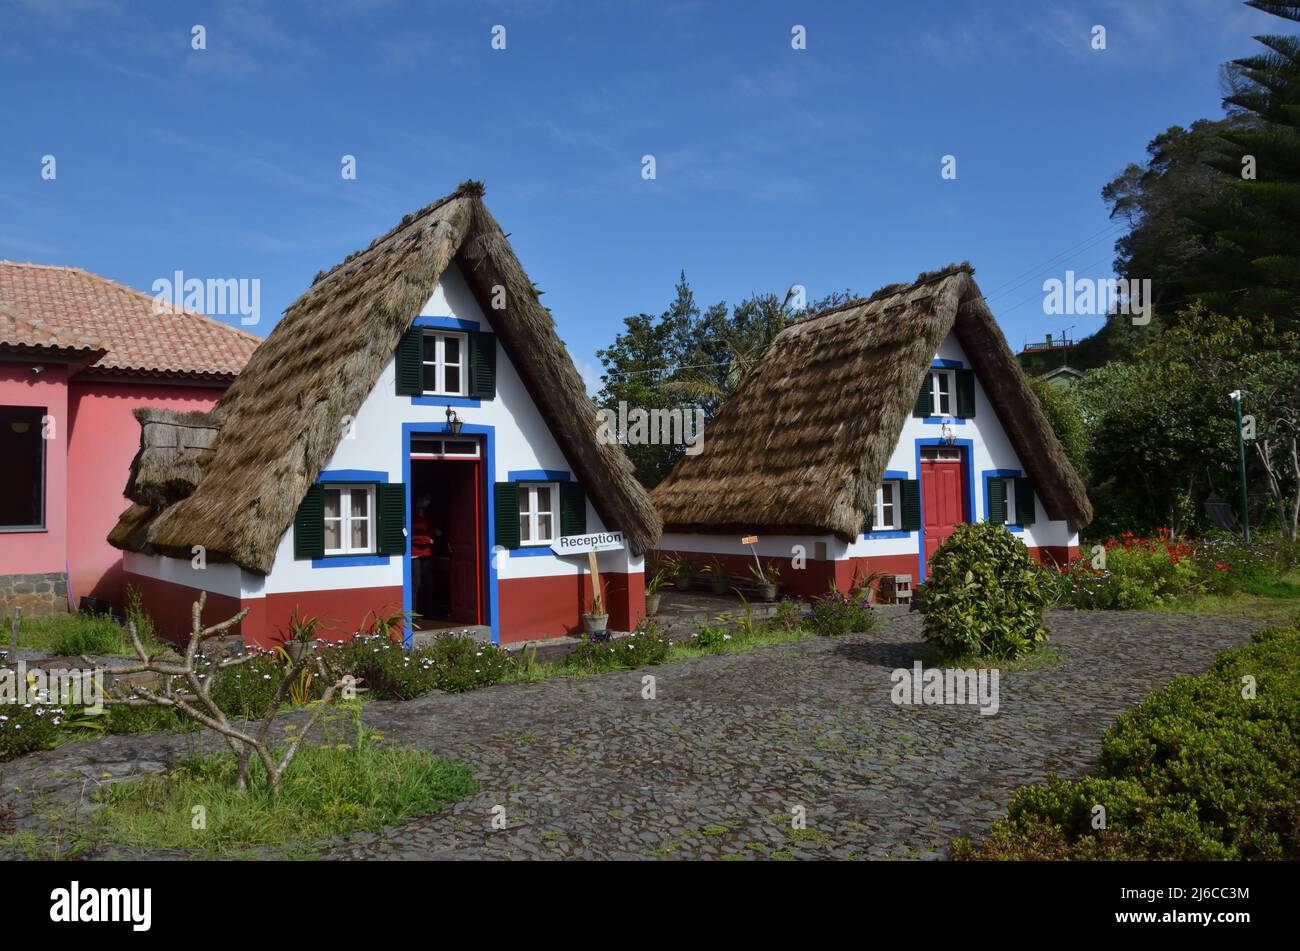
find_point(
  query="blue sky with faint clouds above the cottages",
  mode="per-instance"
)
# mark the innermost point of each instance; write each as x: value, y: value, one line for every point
x: 774, y: 166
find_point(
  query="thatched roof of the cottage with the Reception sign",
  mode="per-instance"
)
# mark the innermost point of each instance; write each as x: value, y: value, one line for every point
x: 281, y: 420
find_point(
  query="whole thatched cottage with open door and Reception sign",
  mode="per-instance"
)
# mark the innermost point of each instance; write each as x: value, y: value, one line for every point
x: 411, y: 437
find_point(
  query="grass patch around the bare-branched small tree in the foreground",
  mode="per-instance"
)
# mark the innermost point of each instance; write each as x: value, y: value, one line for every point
x: 330, y: 791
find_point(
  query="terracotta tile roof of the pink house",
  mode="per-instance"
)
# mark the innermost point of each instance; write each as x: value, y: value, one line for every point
x: 47, y: 306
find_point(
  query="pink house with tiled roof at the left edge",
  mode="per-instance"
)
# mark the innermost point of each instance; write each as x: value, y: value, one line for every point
x: 79, y: 354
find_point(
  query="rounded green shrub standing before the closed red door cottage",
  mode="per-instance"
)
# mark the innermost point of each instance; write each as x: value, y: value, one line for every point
x: 985, y: 594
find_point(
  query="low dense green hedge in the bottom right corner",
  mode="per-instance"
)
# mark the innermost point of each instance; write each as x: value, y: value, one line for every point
x: 1195, y: 772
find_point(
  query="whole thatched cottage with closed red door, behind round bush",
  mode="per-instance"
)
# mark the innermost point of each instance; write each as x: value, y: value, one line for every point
x: 866, y: 435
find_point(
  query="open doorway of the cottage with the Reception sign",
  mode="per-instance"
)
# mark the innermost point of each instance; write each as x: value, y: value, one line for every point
x: 447, y: 532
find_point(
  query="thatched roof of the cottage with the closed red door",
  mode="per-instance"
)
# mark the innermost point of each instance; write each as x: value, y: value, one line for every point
x: 804, y: 442
